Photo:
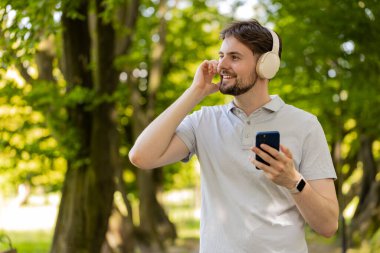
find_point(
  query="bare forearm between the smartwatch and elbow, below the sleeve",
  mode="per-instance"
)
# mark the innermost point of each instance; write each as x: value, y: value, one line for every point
x: 320, y: 212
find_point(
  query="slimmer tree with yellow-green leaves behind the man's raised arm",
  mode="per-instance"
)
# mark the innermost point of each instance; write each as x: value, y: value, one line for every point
x: 177, y: 32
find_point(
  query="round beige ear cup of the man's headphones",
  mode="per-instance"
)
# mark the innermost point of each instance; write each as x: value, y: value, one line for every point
x: 268, y: 65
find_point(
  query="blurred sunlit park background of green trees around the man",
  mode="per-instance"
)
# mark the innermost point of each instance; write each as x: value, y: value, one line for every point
x: 80, y: 79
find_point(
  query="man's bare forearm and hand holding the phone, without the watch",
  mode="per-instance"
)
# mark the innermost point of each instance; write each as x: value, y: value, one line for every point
x: 317, y: 202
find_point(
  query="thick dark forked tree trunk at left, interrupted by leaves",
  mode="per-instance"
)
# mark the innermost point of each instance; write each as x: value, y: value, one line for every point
x: 89, y: 185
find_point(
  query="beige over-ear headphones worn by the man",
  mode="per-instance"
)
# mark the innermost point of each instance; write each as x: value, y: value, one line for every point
x: 269, y: 63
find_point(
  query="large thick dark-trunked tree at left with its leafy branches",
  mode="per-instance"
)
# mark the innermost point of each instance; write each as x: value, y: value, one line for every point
x: 89, y: 135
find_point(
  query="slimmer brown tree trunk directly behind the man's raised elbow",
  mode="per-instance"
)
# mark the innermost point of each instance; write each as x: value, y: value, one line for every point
x: 154, y: 223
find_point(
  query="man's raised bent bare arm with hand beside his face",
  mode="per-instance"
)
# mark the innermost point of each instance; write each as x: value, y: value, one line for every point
x: 158, y: 144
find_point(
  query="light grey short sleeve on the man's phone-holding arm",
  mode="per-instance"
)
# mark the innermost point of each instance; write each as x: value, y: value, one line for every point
x: 316, y: 160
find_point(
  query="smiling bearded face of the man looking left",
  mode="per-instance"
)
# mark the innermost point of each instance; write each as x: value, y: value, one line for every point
x: 236, y: 67
